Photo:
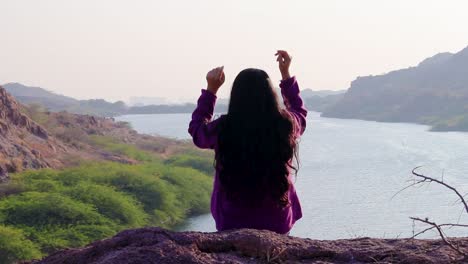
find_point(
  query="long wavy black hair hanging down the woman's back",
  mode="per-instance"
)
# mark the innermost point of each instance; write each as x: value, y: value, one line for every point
x: 256, y: 145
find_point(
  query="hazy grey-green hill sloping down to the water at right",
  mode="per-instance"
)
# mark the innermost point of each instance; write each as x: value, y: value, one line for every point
x: 435, y: 92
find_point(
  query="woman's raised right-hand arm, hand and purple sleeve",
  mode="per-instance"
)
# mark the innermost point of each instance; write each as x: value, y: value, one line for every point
x: 291, y: 93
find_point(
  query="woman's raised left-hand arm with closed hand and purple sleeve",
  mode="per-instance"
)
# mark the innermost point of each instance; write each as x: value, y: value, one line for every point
x: 202, y: 129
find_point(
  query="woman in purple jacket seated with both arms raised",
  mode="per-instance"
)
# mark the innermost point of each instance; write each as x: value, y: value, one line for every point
x: 255, y: 144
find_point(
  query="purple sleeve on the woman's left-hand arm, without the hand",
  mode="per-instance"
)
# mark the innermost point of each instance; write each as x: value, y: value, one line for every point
x: 201, y: 128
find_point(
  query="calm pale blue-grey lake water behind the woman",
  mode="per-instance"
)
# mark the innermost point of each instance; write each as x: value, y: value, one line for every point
x: 350, y: 171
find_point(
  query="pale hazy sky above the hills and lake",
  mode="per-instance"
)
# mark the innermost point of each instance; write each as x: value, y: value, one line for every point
x: 117, y: 49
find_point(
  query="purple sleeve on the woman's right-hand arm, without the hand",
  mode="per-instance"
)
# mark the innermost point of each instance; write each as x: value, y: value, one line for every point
x: 294, y: 104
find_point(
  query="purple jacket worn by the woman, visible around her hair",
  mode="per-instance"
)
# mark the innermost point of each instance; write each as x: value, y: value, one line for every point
x: 226, y: 213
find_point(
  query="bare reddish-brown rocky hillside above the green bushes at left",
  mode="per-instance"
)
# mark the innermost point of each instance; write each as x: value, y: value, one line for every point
x: 31, y: 139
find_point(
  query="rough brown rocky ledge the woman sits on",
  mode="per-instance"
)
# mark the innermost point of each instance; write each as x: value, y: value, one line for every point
x: 156, y: 245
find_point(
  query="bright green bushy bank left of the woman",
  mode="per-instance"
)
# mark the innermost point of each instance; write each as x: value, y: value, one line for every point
x: 46, y: 210
